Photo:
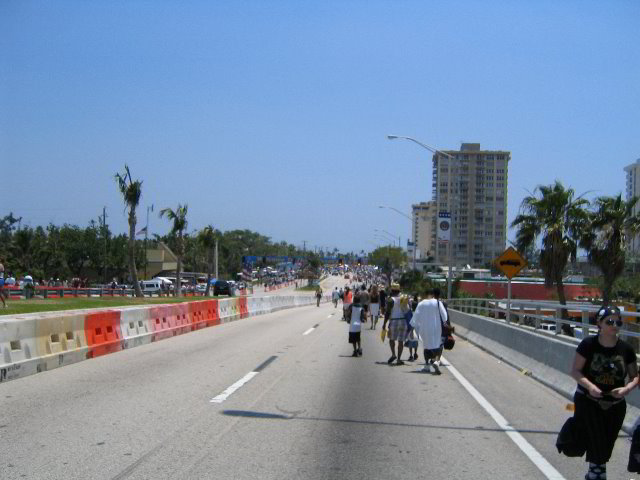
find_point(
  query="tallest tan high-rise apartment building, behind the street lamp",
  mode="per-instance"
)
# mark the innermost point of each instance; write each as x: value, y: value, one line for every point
x: 471, y: 184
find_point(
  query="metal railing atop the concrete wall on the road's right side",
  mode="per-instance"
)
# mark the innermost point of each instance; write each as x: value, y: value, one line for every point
x: 540, y: 315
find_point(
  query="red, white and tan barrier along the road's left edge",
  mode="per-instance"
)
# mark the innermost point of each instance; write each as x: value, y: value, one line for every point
x: 35, y: 343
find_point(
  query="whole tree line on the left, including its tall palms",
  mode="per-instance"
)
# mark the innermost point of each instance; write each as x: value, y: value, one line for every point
x: 96, y: 254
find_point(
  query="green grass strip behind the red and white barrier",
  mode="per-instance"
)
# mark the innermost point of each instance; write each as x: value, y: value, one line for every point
x: 35, y: 305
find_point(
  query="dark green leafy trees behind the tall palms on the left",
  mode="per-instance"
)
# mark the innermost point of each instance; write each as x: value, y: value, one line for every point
x: 96, y: 253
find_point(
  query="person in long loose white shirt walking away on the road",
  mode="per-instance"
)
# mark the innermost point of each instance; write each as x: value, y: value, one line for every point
x: 427, y: 321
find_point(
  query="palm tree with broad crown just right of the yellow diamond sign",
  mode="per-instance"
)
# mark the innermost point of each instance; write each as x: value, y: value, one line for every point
x: 559, y: 219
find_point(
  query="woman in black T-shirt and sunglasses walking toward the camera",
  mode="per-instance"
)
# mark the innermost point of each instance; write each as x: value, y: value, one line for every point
x: 605, y: 369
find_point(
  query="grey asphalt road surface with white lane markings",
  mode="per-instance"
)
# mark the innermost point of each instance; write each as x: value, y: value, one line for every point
x: 306, y: 410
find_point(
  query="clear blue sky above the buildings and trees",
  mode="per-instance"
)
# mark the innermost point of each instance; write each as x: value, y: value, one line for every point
x: 273, y: 116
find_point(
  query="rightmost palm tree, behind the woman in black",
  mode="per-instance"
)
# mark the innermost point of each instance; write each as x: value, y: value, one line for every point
x: 605, y: 237
